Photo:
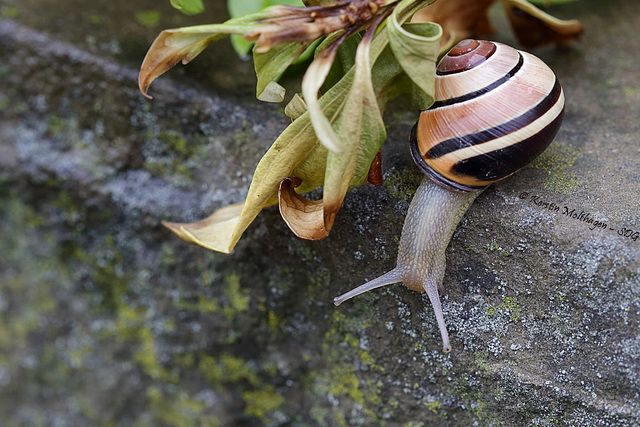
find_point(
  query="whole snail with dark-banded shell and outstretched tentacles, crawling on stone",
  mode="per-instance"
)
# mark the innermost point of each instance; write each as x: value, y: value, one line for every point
x: 495, y: 110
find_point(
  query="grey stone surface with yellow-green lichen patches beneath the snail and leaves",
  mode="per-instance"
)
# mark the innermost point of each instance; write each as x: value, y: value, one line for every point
x: 106, y: 318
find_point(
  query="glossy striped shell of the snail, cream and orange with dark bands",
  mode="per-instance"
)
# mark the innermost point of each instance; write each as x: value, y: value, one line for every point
x: 496, y: 109
